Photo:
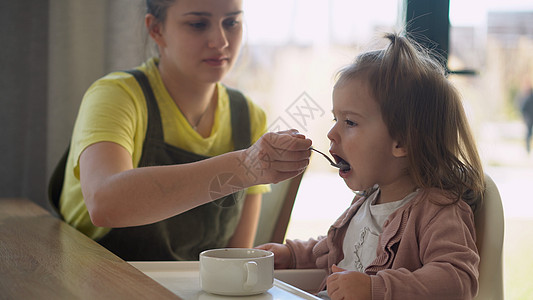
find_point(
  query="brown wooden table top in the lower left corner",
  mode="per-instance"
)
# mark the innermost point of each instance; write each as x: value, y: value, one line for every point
x: 42, y: 257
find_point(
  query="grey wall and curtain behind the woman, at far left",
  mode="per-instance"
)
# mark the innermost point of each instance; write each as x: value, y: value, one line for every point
x: 51, y: 51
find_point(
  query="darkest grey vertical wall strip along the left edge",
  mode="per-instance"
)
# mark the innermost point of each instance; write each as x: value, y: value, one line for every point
x: 23, y: 98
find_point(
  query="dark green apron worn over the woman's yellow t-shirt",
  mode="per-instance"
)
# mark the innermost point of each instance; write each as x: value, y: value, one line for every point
x: 184, y: 236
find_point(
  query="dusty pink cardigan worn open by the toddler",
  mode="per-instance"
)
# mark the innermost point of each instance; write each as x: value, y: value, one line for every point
x: 426, y: 250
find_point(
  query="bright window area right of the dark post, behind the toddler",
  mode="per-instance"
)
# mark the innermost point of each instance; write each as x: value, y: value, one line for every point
x: 495, y: 38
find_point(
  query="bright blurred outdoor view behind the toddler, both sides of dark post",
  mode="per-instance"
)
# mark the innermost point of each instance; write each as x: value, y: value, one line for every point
x: 294, y: 48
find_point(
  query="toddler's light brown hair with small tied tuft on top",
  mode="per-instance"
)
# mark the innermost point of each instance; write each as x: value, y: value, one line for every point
x: 424, y: 113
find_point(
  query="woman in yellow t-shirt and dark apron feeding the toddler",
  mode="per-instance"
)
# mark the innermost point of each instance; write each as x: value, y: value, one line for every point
x: 147, y: 160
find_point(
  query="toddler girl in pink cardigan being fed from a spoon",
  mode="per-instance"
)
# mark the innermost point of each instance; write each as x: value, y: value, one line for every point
x: 400, y: 125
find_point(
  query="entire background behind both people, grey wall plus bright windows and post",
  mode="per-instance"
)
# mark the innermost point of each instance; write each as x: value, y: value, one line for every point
x: 53, y: 50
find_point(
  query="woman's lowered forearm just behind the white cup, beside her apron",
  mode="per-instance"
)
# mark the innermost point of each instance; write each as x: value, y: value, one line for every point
x: 244, y: 235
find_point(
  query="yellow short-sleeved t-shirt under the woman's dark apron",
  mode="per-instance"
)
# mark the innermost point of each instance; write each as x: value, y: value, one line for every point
x: 114, y: 109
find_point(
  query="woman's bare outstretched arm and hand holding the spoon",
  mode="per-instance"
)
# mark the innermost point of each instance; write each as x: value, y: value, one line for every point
x: 118, y: 195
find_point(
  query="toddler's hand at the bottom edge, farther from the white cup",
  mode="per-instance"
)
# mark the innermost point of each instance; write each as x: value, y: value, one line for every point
x: 349, y: 285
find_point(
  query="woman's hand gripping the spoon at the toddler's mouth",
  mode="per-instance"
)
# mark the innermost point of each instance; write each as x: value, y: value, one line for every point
x: 276, y: 156
